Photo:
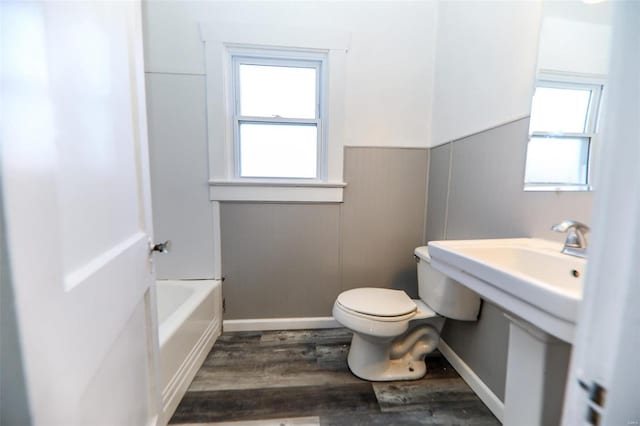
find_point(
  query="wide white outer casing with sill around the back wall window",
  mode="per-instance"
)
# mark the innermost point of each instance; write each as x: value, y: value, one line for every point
x: 219, y: 40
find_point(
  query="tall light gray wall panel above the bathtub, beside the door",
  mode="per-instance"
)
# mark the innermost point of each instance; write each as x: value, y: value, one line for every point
x: 179, y: 174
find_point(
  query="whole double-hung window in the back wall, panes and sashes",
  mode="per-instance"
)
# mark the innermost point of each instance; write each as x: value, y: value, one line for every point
x: 278, y: 114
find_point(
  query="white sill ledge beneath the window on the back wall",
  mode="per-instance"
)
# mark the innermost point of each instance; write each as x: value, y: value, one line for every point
x: 277, y: 192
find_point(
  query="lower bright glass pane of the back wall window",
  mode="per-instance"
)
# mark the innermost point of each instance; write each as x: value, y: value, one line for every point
x: 278, y: 150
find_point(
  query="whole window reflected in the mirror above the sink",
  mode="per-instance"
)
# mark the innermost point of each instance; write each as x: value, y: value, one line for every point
x: 562, y: 130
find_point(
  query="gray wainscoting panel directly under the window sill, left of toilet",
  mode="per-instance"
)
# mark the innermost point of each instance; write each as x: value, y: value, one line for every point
x: 280, y: 260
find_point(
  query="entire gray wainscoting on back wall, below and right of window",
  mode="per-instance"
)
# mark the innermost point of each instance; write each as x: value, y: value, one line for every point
x: 292, y: 260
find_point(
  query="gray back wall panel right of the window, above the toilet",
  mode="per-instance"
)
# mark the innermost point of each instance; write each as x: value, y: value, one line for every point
x: 383, y: 217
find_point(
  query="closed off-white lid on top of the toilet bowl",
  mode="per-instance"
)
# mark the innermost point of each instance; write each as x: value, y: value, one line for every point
x: 380, y: 302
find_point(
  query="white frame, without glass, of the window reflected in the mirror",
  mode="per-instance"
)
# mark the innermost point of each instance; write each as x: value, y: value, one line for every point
x: 549, y: 78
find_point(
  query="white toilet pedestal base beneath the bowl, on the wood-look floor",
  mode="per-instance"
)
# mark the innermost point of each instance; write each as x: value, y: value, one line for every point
x: 387, y: 359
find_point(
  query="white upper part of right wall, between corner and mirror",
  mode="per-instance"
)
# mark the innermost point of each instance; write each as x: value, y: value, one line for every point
x: 485, y: 65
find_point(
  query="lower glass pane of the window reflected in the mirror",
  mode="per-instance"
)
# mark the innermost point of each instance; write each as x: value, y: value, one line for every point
x: 561, y: 160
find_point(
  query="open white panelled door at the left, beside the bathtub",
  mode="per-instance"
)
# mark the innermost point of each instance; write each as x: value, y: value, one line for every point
x: 77, y: 205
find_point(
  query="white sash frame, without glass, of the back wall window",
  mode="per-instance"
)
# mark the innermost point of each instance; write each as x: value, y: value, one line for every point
x: 293, y: 58
